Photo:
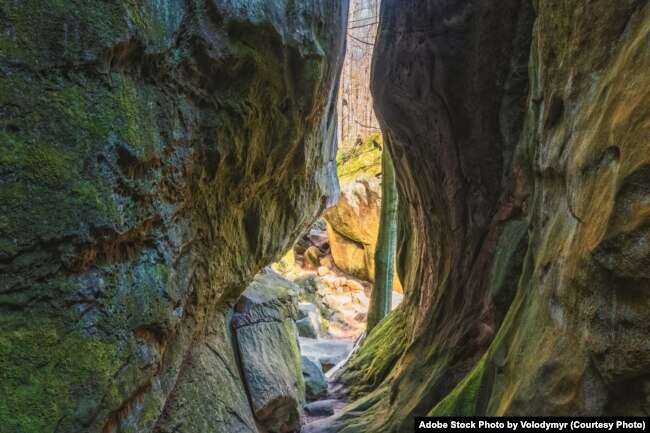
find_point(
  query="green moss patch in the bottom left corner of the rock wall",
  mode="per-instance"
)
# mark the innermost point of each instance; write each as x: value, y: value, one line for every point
x: 45, y: 373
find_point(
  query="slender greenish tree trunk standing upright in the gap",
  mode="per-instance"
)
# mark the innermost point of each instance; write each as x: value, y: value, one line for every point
x: 380, y: 298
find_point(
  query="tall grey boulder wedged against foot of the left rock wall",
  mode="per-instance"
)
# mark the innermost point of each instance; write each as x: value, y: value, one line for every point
x: 268, y: 351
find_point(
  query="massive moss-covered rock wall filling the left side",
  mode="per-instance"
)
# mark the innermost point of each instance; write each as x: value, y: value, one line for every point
x: 155, y: 155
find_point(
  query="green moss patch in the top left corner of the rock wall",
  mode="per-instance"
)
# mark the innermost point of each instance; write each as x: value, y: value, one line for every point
x: 72, y: 29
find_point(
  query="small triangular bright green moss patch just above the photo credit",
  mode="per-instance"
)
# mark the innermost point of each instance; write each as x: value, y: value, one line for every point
x: 465, y: 398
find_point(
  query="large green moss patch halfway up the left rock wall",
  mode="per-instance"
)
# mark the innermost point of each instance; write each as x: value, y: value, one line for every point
x: 52, y: 135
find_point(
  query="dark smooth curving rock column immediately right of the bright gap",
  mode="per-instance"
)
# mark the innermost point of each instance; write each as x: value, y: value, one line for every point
x: 450, y: 84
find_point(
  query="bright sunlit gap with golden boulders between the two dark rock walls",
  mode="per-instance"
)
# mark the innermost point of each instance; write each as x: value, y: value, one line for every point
x: 337, y: 253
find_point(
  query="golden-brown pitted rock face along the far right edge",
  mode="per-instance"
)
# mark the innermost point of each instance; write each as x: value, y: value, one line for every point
x: 576, y: 337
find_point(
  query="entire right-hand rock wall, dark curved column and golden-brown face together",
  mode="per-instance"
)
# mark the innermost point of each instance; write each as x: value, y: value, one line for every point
x: 528, y: 224
